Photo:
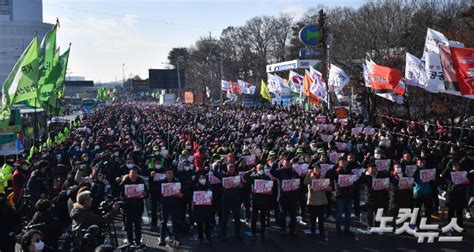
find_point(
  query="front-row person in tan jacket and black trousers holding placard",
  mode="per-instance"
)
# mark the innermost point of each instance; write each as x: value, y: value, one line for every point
x: 317, y: 201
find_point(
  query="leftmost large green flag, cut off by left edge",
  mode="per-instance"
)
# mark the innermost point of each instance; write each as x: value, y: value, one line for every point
x: 21, y: 83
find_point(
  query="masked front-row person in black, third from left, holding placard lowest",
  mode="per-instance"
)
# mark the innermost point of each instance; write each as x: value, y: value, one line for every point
x: 202, y: 213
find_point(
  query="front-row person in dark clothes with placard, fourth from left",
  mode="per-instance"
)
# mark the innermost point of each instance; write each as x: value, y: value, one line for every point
x: 230, y: 199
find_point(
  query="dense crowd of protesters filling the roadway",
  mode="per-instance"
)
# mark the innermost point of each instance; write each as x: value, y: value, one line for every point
x: 128, y: 153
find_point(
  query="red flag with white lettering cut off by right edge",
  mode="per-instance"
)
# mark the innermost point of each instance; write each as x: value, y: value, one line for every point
x: 463, y: 59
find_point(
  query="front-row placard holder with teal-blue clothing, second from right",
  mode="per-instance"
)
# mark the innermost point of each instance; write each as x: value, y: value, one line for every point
x: 422, y: 191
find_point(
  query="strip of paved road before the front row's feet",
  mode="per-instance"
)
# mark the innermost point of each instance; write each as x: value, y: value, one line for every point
x: 304, y: 242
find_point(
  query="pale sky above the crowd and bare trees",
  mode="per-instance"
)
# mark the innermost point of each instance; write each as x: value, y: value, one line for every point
x: 140, y: 33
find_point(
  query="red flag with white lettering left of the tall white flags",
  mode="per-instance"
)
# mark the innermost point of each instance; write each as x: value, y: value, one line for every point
x: 384, y: 78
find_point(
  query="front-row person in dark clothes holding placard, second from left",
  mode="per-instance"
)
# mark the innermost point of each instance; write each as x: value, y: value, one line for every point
x: 170, y: 205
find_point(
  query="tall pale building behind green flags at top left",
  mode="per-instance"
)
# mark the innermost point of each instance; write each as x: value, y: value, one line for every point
x: 19, y: 21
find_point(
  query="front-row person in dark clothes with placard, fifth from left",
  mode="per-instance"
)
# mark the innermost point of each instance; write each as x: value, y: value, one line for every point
x: 260, y: 201
